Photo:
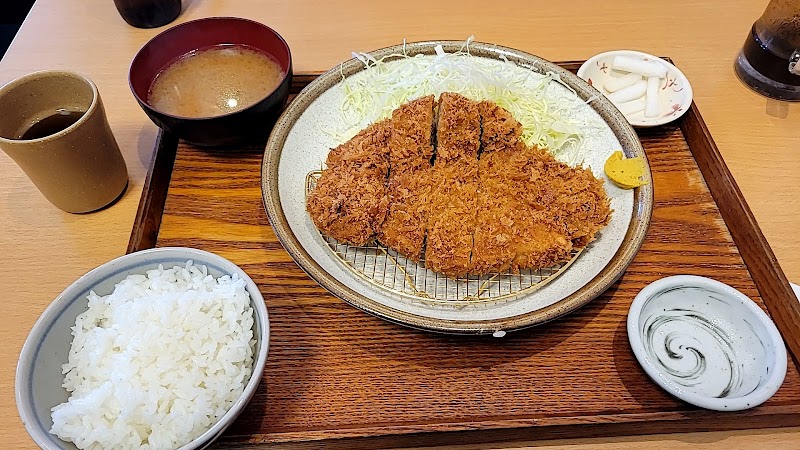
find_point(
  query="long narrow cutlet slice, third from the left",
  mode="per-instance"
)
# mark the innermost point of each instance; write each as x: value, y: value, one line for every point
x: 453, y: 201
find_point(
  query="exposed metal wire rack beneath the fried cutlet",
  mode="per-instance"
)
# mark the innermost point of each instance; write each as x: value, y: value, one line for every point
x: 390, y: 270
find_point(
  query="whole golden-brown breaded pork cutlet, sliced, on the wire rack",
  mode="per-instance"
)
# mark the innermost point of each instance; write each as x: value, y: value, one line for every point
x: 488, y: 204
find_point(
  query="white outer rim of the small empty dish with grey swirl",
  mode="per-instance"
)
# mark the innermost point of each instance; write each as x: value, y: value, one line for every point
x: 751, y: 400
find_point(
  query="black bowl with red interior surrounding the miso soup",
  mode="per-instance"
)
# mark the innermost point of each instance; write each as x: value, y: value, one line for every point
x: 249, y: 125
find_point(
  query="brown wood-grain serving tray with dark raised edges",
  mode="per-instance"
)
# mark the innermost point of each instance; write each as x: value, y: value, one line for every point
x: 339, y: 377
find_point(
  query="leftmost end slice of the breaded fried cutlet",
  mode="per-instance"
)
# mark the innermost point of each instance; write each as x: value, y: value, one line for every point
x: 349, y: 202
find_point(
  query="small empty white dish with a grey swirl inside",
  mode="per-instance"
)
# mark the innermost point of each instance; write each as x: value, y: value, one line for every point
x: 706, y: 343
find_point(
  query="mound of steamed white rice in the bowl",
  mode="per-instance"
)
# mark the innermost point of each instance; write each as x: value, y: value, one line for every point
x: 158, y: 362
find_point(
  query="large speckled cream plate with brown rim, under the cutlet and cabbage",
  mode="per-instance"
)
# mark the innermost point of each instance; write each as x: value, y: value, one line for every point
x: 299, y: 145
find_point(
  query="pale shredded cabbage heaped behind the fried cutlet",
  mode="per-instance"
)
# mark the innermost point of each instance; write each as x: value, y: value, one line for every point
x: 543, y: 113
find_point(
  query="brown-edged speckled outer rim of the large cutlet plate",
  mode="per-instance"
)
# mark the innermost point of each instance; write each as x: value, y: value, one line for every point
x: 637, y: 229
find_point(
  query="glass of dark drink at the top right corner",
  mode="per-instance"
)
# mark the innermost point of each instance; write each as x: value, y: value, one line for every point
x: 768, y: 60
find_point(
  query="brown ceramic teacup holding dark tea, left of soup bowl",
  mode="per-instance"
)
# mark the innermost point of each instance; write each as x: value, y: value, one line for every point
x: 55, y: 128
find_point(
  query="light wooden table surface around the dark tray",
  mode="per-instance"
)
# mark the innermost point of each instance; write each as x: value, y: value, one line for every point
x: 42, y: 250
